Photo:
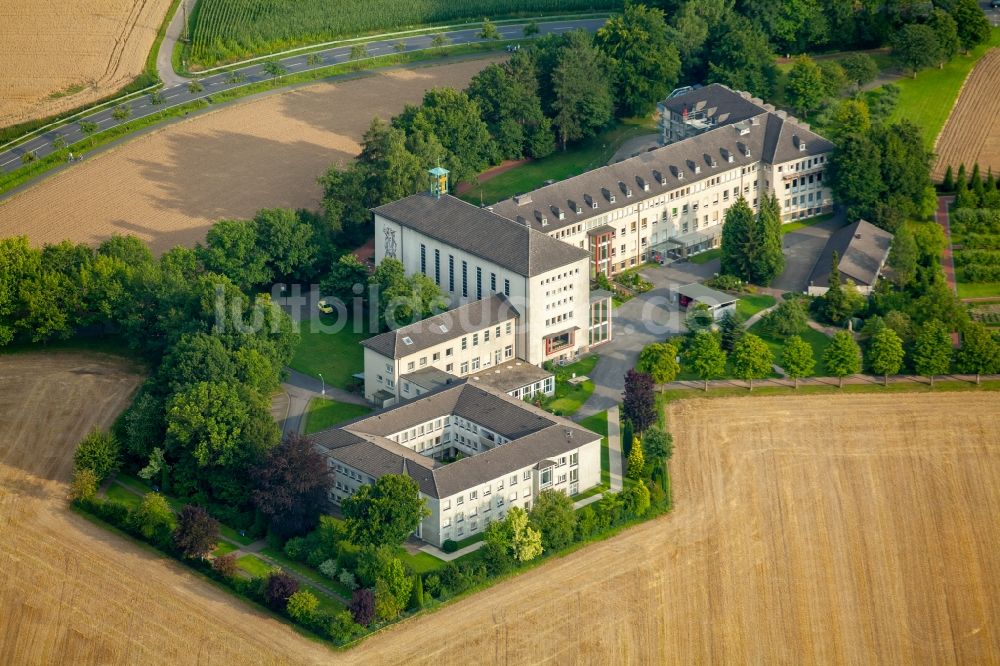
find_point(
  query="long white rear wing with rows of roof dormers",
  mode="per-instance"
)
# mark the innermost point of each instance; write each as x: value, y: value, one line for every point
x: 671, y: 201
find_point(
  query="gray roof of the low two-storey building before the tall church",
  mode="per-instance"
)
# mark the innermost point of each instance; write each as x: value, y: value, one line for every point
x: 446, y: 326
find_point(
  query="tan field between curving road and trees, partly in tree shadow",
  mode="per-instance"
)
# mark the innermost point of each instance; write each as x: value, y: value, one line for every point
x: 169, y: 186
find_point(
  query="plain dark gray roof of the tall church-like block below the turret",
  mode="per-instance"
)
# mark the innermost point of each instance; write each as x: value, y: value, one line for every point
x: 480, y: 232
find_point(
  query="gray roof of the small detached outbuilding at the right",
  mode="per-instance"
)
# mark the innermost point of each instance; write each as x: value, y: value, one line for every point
x: 862, y: 248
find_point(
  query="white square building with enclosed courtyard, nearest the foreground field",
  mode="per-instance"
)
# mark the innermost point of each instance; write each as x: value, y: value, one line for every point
x: 510, y: 451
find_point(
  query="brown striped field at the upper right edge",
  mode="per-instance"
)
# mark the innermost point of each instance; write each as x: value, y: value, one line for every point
x: 972, y: 133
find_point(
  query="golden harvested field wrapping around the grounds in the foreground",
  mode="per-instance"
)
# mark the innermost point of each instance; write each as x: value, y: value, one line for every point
x: 848, y: 529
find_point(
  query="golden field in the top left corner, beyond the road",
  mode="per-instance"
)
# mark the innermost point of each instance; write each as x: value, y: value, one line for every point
x: 57, y: 55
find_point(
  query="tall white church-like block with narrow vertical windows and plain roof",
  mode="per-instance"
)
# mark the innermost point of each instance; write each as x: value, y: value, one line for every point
x: 472, y: 253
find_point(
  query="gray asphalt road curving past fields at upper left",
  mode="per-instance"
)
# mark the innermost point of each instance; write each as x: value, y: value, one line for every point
x: 178, y: 94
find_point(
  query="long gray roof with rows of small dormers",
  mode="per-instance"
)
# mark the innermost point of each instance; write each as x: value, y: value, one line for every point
x: 662, y: 170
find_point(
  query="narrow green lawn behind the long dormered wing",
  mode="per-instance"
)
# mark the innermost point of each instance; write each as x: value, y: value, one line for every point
x: 589, y: 154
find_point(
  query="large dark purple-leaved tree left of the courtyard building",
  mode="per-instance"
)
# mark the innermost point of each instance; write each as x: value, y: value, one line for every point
x: 291, y: 486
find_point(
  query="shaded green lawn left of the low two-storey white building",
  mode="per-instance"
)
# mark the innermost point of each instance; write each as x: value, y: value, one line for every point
x: 337, y: 356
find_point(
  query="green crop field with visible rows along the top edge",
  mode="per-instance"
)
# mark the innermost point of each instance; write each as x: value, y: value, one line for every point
x: 228, y: 30
